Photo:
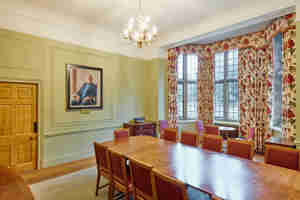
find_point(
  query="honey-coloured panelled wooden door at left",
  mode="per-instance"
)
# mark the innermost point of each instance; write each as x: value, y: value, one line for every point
x: 18, y: 115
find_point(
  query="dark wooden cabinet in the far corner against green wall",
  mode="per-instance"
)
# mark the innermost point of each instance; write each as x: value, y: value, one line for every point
x: 145, y: 128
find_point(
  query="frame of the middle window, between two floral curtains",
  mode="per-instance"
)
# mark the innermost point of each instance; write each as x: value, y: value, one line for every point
x: 225, y: 82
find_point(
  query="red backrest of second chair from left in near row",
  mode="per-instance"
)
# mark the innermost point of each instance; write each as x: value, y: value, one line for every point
x: 118, y: 168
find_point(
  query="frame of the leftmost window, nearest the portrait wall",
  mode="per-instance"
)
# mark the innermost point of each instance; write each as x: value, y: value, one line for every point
x: 185, y: 82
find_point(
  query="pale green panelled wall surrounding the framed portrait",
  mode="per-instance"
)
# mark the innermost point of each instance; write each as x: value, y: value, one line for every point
x: 67, y: 136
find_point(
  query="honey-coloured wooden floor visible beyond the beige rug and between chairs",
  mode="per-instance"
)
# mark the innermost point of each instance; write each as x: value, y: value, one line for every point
x: 36, y: 176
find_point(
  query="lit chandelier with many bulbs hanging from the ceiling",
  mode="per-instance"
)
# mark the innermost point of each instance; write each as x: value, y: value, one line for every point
x: 139, y: 30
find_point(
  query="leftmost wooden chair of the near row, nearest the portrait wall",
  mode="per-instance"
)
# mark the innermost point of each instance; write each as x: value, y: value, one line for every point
x: 103, y: 165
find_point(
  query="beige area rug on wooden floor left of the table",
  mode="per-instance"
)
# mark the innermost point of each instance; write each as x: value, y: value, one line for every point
x: 76, y: 186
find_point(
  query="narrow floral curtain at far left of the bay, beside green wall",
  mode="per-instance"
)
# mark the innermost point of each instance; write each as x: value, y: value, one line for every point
x: 172, y: 89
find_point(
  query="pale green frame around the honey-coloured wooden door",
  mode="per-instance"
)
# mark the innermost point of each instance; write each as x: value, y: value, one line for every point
x: 38, y: 83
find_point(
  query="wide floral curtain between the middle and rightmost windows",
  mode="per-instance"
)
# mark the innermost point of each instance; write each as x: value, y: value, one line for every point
x: 255, y: 65
